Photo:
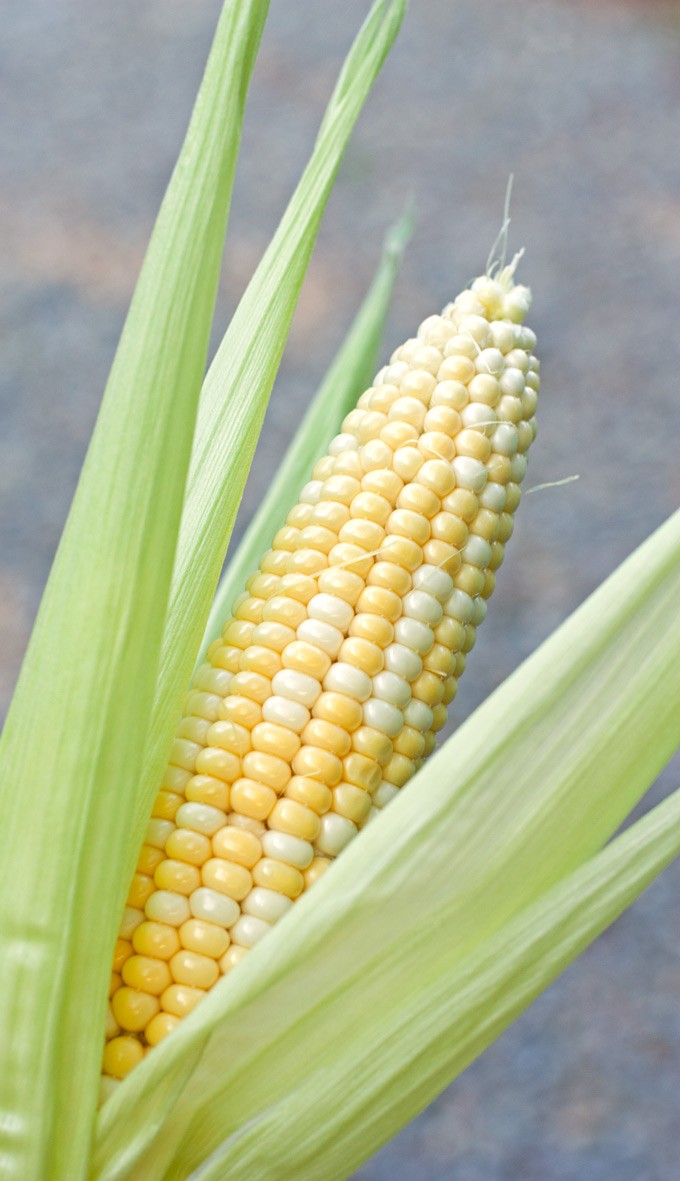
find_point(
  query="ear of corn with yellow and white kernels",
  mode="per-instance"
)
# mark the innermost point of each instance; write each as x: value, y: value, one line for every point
x: 328, y: 688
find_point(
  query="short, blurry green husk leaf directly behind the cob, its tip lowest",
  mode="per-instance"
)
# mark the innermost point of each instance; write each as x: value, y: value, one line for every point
x: 350, y: 374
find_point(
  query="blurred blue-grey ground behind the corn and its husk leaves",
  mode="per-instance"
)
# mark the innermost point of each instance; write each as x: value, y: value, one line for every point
x: 581, y: 101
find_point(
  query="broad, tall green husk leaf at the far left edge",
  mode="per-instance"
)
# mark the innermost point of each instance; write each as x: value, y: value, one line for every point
x: 74, y: 743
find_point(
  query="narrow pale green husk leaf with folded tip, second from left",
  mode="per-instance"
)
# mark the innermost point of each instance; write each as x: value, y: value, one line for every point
x: 238, y: 388
